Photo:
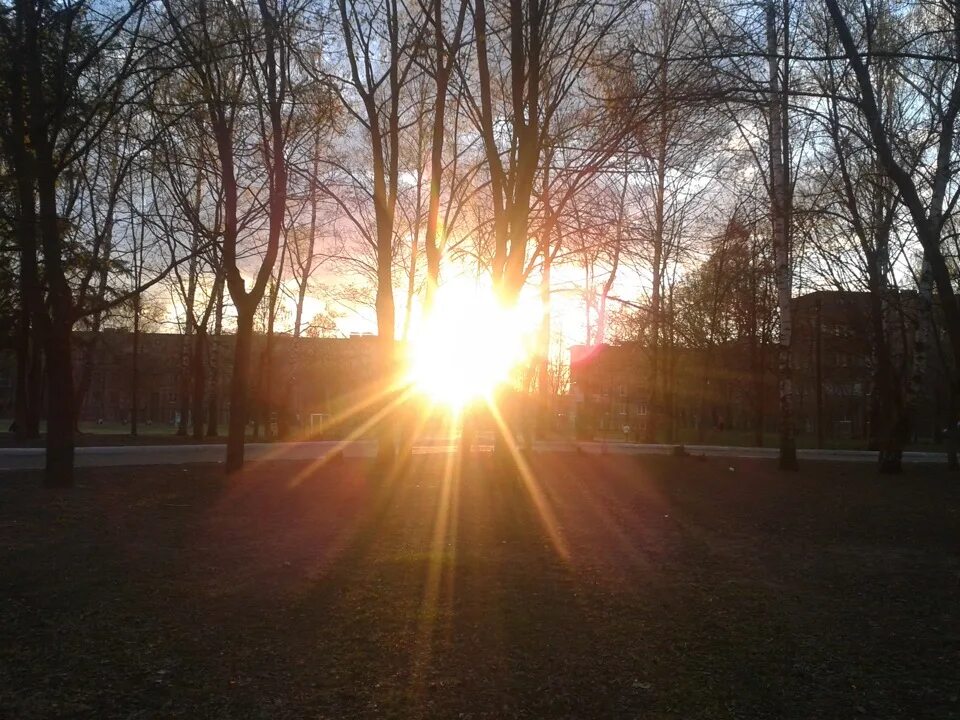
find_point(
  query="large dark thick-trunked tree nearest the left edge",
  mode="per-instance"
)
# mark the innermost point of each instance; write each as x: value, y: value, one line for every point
x: 70, y: 70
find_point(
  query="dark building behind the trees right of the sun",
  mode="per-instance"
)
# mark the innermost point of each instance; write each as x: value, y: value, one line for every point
x: 707, y: 393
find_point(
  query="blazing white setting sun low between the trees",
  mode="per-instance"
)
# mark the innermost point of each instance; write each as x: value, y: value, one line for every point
x: 466, y: 347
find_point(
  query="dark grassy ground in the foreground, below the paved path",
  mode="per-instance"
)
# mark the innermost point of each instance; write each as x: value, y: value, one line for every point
x: 601, y: 587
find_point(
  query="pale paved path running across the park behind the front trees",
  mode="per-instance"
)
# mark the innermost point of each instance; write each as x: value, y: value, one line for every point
x: 32, y: 458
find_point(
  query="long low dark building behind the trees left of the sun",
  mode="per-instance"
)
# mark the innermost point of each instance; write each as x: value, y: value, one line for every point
x: 310, y: 378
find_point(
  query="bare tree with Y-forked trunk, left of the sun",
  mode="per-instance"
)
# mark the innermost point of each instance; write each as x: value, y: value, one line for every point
x: 235, y: 55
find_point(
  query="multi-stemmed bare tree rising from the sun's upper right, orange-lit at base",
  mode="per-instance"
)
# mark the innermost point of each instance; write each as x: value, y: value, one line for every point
x: 540, y: 54
